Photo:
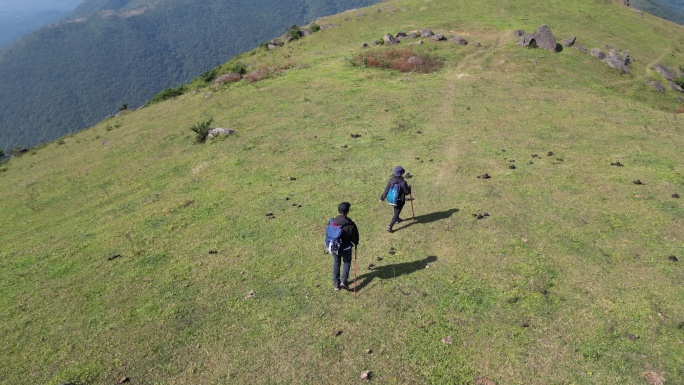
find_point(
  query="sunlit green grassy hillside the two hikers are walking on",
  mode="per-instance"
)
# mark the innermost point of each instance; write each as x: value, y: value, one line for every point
x: 128, y: 251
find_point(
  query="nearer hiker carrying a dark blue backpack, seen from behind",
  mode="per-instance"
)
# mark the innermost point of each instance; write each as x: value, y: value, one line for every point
x: 342, y: 244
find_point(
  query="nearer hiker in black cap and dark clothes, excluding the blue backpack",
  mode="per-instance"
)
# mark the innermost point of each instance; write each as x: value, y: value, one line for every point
x: 350, y: 238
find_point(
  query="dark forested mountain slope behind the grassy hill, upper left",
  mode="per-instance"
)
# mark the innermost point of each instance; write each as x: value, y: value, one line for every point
x: 66, y: 77
